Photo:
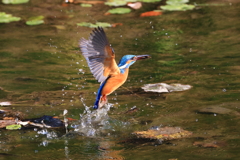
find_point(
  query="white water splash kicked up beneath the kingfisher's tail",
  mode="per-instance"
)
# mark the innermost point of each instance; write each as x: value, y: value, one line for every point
x: 92, y: 123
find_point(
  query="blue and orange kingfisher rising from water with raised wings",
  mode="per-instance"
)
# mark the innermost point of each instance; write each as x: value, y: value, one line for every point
x: 100, y: 57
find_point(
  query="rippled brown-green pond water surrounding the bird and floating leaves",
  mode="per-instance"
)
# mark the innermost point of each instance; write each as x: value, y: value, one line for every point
x: 43, y: 73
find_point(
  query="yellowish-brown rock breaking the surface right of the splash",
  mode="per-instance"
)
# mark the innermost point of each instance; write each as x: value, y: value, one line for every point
x: 163, y: 133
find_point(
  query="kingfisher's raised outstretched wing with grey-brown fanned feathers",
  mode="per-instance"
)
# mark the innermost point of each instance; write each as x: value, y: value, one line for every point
x: 99, y: 55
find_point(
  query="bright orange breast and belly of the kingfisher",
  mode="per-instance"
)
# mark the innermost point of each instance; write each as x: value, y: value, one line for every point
x: 114, y: 82
